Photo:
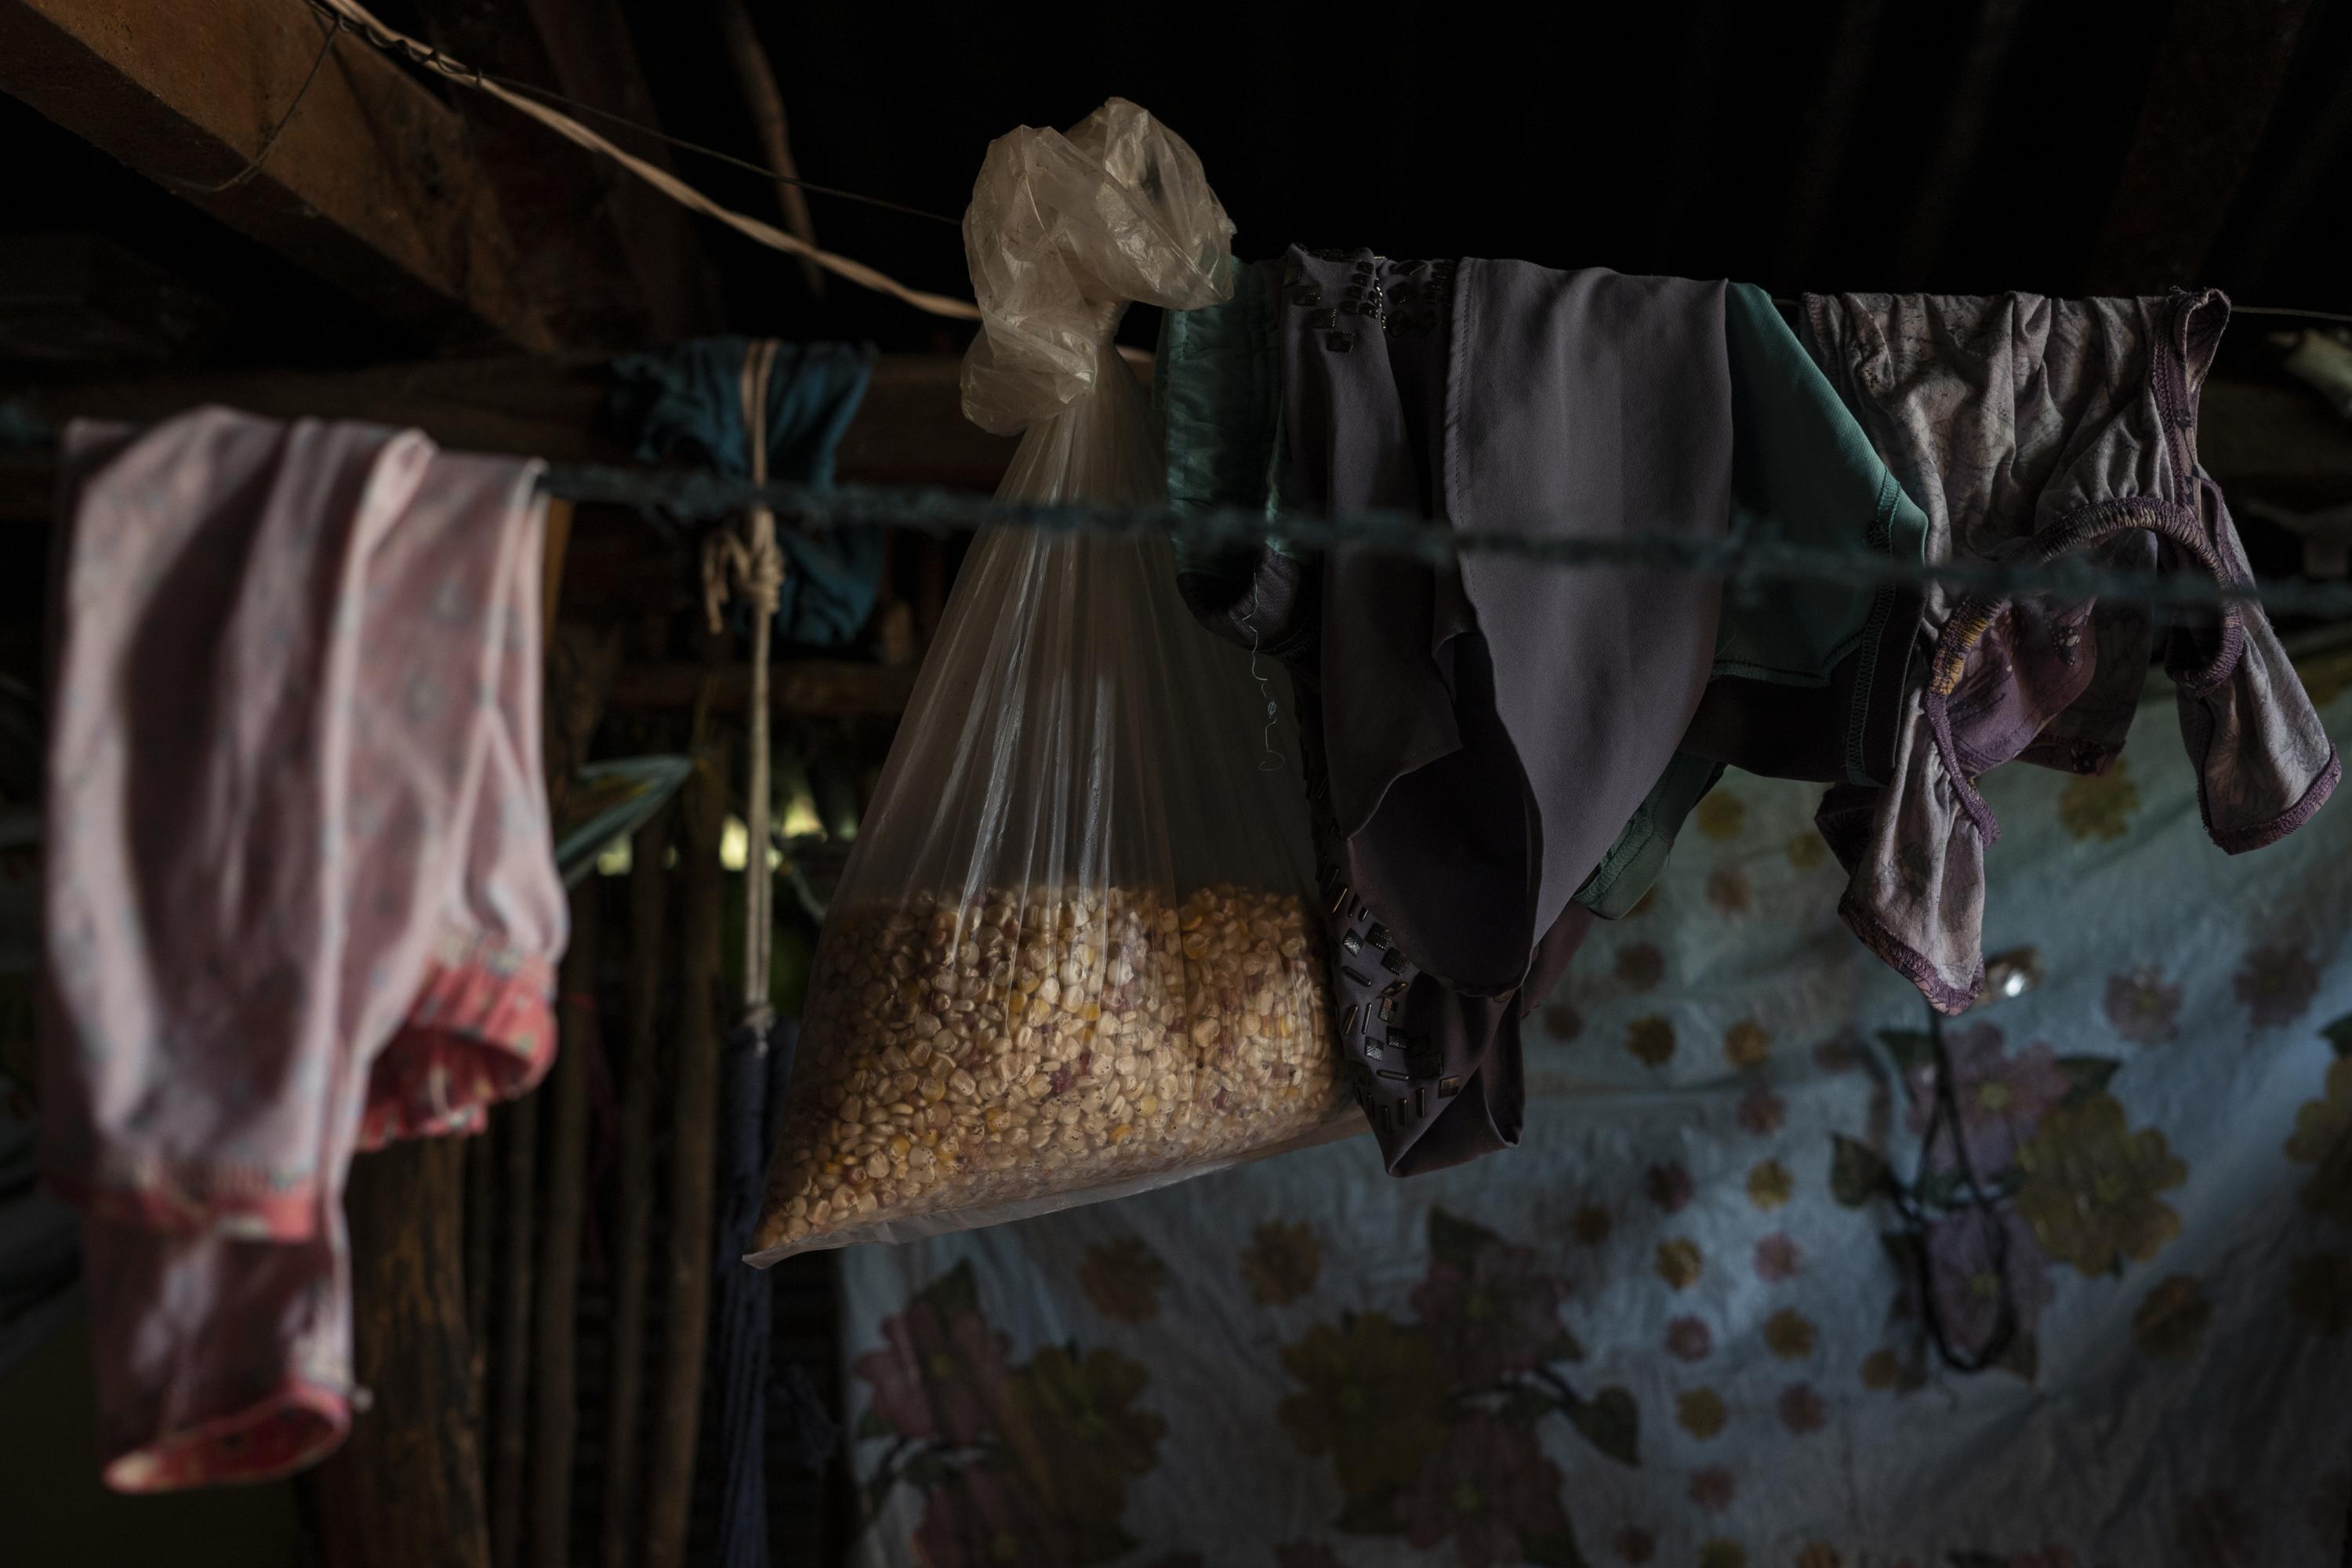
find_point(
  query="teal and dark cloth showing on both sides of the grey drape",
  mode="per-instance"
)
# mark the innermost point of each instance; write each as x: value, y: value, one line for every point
x: 1805, y: 685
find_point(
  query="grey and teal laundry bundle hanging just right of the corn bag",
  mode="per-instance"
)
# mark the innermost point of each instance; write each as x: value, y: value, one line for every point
x: 1511, y: 398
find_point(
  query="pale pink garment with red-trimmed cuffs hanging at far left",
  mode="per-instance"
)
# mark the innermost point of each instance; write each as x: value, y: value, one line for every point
x: 300, y: 892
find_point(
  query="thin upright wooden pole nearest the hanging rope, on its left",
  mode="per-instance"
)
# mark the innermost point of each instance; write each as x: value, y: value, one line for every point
x: 693, y: 1151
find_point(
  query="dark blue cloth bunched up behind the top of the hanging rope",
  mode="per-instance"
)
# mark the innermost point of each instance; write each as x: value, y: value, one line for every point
x: 686, y: 406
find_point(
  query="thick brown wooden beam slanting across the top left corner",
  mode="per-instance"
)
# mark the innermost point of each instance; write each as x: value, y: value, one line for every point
x: 370, y: 185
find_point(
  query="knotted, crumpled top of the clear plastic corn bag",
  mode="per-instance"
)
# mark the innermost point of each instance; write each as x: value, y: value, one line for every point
x: 1062, y: 236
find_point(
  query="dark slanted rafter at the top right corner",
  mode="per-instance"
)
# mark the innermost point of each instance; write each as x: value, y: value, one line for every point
x: 2210, y: 98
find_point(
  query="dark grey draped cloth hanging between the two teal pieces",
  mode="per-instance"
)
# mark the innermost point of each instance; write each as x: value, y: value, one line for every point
x: 1492, y: 730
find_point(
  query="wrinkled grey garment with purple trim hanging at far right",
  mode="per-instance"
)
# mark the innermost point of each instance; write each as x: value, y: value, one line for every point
x: 2036, y: 429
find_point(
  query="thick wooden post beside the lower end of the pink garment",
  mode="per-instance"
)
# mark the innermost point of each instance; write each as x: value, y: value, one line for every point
x: 406, y: 1489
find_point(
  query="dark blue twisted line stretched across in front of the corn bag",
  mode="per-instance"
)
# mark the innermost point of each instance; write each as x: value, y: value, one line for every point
x: 1742, y: 558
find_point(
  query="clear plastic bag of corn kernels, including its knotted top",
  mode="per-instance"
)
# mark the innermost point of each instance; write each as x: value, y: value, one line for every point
x: 1074, y: 953
